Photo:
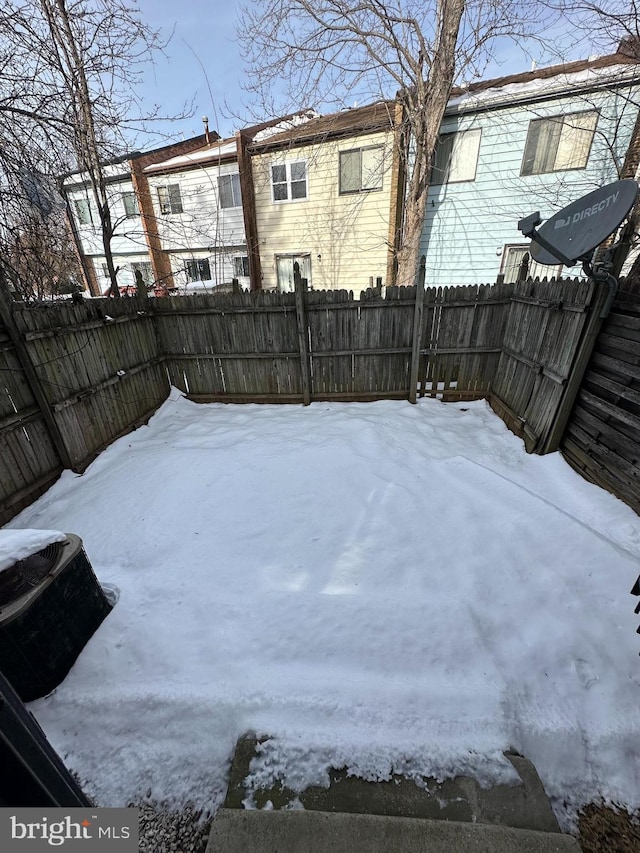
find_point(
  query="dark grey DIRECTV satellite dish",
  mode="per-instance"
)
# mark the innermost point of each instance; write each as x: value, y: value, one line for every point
x: 574, y: 232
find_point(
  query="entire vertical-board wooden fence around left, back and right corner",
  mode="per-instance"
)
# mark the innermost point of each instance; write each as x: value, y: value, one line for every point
x: 77, y: 376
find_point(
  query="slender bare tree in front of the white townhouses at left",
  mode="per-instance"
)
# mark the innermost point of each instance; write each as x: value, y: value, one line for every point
x: 68, y: 76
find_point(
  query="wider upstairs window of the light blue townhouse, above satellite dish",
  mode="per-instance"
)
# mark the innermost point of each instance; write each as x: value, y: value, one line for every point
x: 560, y: 142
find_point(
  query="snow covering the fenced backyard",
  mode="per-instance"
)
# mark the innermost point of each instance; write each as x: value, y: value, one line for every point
x: 382, y: 586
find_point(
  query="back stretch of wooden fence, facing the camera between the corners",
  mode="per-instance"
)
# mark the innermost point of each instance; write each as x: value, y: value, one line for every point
x: 325, y: 345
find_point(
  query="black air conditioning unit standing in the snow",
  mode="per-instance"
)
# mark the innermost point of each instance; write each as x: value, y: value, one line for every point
x: 50, y: 605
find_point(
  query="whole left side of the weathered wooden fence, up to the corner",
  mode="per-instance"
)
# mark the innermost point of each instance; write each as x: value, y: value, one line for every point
x: 75, y: 377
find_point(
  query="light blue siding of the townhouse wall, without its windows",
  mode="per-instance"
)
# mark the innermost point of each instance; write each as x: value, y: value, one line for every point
x: 468, y: 223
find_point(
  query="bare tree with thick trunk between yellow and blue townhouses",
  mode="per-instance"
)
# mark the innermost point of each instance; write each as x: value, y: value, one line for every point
x: 327, y: 51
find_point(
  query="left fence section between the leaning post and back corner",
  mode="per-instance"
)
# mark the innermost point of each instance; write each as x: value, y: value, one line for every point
x: 99, y: 365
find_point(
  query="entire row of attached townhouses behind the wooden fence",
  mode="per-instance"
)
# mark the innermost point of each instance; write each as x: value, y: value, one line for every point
x: 325, y: 192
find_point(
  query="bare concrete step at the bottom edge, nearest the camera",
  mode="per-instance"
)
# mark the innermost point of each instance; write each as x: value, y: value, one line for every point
x: 241, y: 831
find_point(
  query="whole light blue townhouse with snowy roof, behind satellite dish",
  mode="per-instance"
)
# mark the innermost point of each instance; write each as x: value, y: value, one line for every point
x: 522, y: 143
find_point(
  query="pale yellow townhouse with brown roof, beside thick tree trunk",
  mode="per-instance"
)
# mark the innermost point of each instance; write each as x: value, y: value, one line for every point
x: 323, y: 193
